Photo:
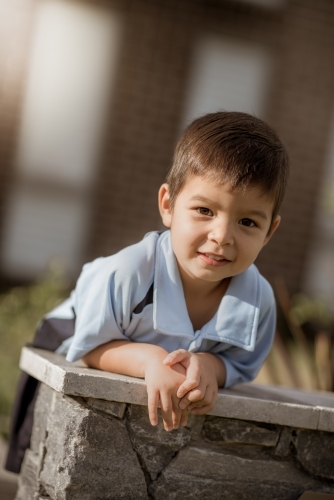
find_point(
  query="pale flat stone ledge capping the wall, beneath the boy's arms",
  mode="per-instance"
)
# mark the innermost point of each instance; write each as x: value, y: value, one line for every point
x: 273, y: 405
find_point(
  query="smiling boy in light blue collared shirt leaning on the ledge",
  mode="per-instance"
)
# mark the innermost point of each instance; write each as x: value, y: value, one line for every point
x: 186, y: 309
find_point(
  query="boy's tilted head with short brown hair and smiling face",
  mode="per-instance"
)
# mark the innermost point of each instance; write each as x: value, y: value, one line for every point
x: 222, y: 195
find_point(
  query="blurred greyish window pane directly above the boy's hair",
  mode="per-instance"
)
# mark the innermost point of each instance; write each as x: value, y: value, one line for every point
x: 228, y: 75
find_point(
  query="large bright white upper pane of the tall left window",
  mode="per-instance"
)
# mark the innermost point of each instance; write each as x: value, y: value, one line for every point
x: 74, y: 53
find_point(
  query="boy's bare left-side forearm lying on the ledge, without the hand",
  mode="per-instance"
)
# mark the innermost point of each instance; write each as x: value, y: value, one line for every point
x: 124, y: 357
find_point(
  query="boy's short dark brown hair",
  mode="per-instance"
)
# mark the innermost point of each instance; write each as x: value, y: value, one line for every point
x: 231, y: 147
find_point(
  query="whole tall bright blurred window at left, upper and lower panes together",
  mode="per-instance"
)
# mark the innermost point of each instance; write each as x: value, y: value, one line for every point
x: 73, y: 60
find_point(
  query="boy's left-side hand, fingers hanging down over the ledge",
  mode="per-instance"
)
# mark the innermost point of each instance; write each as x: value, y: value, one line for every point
x: 162, y: 384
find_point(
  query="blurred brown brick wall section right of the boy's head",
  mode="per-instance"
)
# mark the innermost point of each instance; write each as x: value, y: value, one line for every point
x: 301, y: 110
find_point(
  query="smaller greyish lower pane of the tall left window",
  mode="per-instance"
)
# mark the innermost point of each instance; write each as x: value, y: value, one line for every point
x: 39, y: 226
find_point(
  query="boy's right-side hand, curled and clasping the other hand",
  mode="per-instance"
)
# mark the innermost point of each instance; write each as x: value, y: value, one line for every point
x: 205, y: 372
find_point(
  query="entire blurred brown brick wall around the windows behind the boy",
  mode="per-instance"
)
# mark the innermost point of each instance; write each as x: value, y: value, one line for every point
x: 147, y: 108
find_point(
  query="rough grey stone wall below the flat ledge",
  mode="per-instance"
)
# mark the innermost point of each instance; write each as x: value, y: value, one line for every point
x: 84, y: 448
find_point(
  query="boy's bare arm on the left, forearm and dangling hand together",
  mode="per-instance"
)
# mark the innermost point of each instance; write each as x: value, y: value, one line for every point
x: 145, y: 361
